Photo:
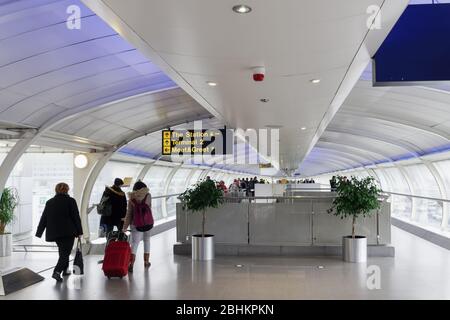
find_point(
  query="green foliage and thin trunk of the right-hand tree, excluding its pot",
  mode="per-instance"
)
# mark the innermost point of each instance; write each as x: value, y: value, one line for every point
x: 355, y: 198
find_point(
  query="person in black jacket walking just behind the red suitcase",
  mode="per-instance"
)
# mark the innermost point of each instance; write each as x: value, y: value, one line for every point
x: 118, y: 202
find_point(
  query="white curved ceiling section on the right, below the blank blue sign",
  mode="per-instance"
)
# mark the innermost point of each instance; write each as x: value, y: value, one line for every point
x: 382, y: 124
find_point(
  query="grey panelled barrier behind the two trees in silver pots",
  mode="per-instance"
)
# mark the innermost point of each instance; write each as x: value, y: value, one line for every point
x: 282, y: 220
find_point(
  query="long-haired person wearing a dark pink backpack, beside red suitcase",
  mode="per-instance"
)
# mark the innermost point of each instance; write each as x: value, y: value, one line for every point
x: 139, y: 203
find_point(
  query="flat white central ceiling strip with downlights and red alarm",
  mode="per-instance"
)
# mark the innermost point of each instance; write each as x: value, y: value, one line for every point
x: 296, y: 40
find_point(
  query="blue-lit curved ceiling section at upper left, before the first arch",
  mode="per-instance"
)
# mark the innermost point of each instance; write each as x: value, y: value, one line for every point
x: 47, y: 69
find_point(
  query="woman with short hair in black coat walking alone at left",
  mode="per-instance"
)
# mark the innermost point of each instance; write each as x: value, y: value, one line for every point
x: 61, y: 220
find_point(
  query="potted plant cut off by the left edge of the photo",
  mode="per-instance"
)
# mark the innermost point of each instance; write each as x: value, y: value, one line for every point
x: 8, y: 203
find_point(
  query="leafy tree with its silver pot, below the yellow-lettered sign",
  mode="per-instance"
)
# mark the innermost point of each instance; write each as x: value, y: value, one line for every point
x: 199, y: 198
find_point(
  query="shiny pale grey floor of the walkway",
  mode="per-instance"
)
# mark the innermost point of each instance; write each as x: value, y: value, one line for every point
x: 420, y: 270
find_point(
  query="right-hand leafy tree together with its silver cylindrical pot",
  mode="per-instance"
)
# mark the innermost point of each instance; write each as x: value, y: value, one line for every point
x: 355, y: 198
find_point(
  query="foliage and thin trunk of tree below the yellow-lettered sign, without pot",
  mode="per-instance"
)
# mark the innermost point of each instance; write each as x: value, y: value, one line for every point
x: 202, y: 196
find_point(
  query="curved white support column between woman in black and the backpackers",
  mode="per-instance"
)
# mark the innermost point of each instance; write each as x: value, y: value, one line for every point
x: 87, y: 190
